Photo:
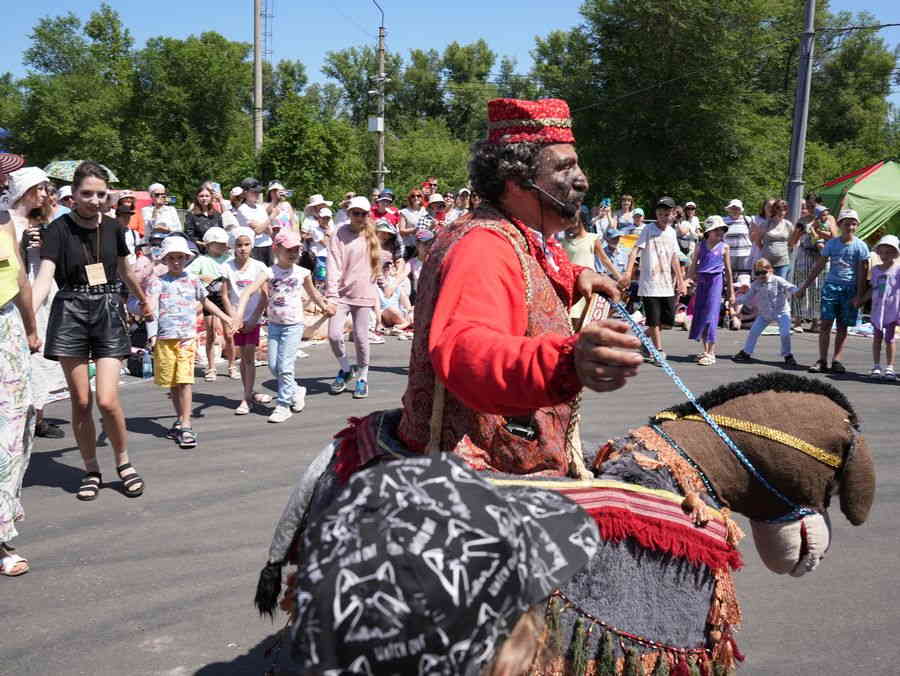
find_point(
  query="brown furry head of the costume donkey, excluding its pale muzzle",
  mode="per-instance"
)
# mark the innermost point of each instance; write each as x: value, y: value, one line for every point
x: 803, y: 409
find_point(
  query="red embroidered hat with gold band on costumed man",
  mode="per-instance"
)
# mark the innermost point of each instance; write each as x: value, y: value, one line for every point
x: 541, y: 121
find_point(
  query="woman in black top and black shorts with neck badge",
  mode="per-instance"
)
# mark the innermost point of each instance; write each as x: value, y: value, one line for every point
x: 85, y: 252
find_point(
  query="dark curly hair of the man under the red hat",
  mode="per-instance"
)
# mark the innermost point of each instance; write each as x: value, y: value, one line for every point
x: 492, y: 164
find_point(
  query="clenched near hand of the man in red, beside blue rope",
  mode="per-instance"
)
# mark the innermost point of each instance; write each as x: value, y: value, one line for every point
x: 603, y: 355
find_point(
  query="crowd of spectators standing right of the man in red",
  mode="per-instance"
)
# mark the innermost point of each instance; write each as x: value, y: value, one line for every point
x: 736, y: 270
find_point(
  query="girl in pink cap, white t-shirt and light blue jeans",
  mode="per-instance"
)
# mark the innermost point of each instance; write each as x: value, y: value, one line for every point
x: 286, y: 282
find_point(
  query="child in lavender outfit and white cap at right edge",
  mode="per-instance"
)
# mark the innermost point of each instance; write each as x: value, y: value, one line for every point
x: 885, y: 295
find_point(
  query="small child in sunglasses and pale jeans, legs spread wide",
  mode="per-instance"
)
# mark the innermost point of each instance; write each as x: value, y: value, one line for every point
x: 770, y: 294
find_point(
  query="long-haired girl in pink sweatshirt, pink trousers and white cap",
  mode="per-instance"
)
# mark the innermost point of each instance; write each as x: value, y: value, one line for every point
x: 354, y: 263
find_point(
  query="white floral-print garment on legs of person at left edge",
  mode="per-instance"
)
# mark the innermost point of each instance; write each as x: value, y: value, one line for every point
x: 17, y: 418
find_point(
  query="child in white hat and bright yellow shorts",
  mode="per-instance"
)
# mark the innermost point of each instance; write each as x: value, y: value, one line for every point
x: 173, y: 335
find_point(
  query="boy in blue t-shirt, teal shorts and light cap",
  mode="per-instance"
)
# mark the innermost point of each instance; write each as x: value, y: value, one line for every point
x: 843, y: 288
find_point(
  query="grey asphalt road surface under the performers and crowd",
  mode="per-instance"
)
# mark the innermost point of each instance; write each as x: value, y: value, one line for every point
x: 163, y: 584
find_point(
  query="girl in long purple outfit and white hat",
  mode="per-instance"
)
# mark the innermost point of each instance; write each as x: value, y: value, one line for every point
x: 710, y: 260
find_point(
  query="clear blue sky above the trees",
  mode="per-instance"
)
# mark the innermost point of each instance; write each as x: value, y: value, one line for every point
x: 306, y: 31
